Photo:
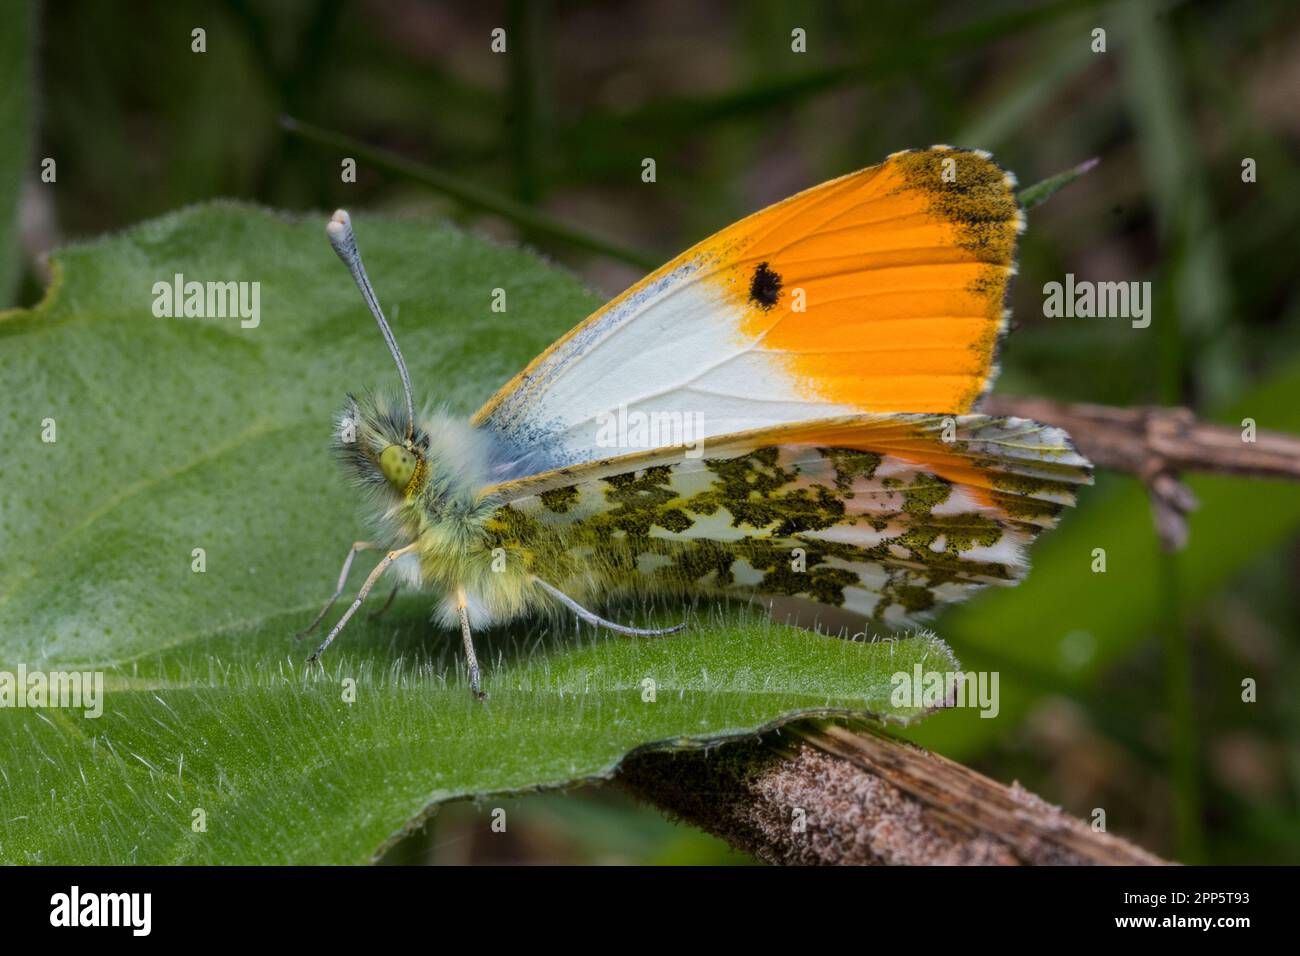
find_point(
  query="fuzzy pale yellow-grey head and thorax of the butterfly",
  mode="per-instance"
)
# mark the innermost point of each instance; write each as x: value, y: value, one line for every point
x: 431, y: 490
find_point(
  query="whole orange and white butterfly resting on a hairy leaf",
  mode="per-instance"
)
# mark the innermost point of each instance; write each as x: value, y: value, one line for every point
x: 785, y: 410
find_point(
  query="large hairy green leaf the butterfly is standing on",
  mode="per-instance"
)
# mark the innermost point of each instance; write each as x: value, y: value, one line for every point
x: 175, y: 435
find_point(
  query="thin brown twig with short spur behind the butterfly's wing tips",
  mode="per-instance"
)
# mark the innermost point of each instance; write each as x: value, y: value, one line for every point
x: 1158, y: 445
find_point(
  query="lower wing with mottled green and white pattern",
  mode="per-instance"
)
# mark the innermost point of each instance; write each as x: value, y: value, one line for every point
x: 887, y: 516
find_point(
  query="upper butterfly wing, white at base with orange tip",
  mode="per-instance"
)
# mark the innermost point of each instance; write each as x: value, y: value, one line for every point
x: 882, y: 291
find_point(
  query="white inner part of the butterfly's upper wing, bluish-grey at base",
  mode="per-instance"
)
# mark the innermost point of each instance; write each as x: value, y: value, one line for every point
x: 660, y: 364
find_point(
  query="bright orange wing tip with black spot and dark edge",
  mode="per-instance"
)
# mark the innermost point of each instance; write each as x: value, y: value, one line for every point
x: 902, y: 271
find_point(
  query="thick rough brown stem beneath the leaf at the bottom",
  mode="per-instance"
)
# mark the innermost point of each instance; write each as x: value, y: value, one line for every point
x: 825, y: 794
